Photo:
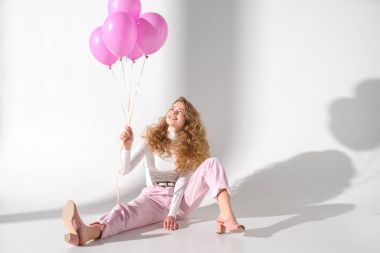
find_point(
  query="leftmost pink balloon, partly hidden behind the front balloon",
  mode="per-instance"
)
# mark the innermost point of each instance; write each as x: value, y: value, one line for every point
x: 99, y: 49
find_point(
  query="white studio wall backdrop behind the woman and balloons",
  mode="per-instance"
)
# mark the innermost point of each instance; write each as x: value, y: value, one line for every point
x: 289, y: 92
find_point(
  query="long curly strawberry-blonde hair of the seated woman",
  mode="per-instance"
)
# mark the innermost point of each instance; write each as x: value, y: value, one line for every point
x: 190, y: 147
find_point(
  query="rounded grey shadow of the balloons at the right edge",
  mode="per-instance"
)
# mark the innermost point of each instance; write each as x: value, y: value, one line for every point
x: 355, y: 121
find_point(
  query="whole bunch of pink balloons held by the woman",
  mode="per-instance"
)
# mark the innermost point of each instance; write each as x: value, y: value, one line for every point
x: 126, y: 32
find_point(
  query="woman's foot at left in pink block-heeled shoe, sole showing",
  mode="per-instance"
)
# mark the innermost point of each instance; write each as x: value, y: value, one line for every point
x: 79, y: 232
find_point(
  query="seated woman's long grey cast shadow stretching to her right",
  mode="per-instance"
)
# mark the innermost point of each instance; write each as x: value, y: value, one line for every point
x: 293, y: 187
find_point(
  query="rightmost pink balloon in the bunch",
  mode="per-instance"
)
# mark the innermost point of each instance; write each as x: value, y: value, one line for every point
x: 152, y: 32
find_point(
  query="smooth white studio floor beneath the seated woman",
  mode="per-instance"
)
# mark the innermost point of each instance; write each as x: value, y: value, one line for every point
x: 346, y: 224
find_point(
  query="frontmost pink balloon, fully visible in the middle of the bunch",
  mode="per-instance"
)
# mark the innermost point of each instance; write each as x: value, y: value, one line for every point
x: 119, y: 33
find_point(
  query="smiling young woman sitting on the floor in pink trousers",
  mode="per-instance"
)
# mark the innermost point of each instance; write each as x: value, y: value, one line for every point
x: 179, y: 172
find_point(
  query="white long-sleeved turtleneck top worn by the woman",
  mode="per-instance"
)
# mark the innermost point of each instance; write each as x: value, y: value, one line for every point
x: 157, y: 169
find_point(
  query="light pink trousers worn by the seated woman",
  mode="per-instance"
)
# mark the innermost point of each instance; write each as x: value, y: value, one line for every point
x: 153, y: 203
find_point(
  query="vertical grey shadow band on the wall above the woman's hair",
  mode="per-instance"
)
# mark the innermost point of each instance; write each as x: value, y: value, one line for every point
x: 209, y: 66
